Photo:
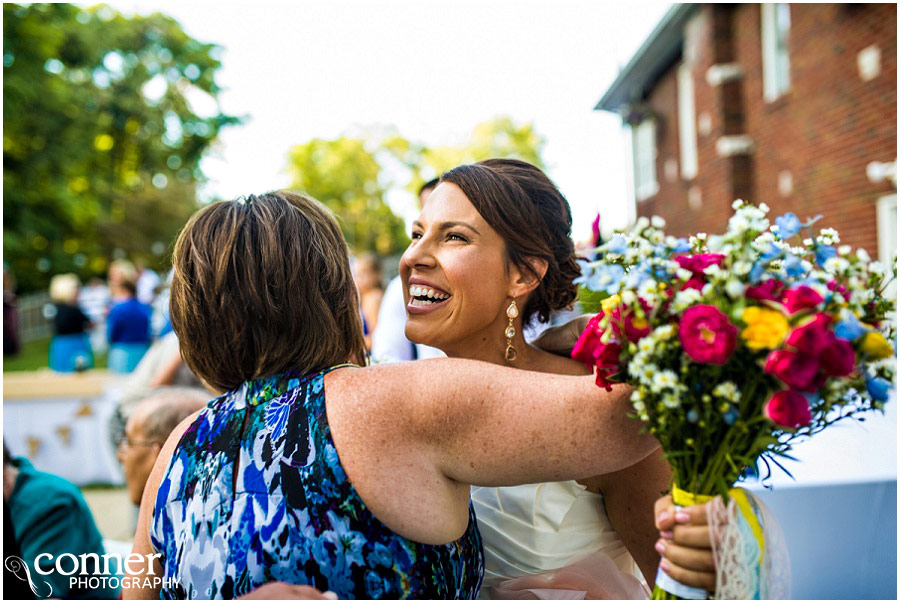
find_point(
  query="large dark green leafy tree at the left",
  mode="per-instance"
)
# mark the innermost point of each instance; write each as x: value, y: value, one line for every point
x: 101, y: 141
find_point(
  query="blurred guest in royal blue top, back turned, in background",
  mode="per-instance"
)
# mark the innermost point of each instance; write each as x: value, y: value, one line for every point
x: 127, y: 328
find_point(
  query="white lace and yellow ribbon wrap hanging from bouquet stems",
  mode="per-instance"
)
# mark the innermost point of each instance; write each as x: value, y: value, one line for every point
x: 751, y: 556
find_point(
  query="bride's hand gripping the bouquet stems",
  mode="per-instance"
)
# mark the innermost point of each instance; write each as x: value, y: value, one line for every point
x: 684, y: 544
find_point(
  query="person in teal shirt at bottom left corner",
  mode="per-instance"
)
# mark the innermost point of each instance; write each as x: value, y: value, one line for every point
x: 49, y: 515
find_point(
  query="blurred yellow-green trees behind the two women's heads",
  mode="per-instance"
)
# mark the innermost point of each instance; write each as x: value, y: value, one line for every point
x: 353, y: 174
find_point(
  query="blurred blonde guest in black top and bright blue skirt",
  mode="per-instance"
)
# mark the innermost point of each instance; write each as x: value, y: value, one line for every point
x: 70, y: 347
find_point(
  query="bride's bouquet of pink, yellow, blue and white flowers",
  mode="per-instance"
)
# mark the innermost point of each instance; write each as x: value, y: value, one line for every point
x: 738, y: 345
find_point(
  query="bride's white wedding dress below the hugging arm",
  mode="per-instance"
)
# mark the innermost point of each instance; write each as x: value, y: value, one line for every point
x: 552, y: 541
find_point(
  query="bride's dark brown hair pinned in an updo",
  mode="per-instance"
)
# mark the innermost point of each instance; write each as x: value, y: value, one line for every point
x: 523, y: 205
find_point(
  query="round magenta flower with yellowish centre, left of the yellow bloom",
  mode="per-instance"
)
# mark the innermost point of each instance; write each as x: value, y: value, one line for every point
x: 706, y: 335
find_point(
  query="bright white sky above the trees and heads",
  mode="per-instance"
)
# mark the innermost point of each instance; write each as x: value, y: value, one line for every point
x: 302, y: 70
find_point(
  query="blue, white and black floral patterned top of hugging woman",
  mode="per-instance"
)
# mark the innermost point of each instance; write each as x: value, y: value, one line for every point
x: 290, y: 514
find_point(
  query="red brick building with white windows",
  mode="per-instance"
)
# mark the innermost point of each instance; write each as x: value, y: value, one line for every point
x: 794, y: 105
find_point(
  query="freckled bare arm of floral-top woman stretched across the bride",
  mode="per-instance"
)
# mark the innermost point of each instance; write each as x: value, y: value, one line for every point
x: 487, y: 425
